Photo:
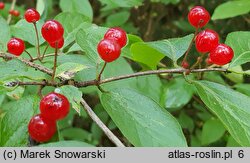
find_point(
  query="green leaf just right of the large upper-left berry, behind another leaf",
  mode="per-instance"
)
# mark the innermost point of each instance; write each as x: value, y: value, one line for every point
x: 76, y: 20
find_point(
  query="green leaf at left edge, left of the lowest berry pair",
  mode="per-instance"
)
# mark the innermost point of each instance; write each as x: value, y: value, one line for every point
x: 14, y: 130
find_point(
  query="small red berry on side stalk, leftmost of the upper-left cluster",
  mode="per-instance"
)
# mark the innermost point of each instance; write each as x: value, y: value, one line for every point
x: 16, y: 46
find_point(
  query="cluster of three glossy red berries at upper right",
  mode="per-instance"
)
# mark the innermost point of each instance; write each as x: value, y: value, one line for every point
x: 207, y: 41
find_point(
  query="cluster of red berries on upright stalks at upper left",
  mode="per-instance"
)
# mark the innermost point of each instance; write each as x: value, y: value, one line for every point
x: 52, y: 32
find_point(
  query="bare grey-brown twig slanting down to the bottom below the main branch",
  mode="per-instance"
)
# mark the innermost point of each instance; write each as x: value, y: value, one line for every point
x: 104, y: 128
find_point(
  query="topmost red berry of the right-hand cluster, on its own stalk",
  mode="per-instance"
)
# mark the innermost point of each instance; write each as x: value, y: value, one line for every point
x: 198, y: 16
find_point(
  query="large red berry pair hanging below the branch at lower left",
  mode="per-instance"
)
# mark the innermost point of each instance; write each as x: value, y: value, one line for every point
x: 53, y: 107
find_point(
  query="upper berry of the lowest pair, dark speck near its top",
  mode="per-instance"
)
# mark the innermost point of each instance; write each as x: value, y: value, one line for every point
x: 54, y: 106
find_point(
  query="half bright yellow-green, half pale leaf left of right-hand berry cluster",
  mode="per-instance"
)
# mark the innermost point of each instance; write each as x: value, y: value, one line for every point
x: 150, y: 53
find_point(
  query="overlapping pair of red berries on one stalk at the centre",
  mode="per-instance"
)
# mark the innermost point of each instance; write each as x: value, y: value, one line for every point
x: 109, y: 48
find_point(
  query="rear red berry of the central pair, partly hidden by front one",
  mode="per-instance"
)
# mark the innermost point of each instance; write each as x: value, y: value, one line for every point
x: 118, y: 35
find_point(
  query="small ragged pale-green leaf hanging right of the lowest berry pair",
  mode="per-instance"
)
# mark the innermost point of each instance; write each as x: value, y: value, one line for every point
x: 73, y: 94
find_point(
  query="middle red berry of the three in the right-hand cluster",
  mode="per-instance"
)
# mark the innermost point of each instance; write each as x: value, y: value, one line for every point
x: 206, y: 41
